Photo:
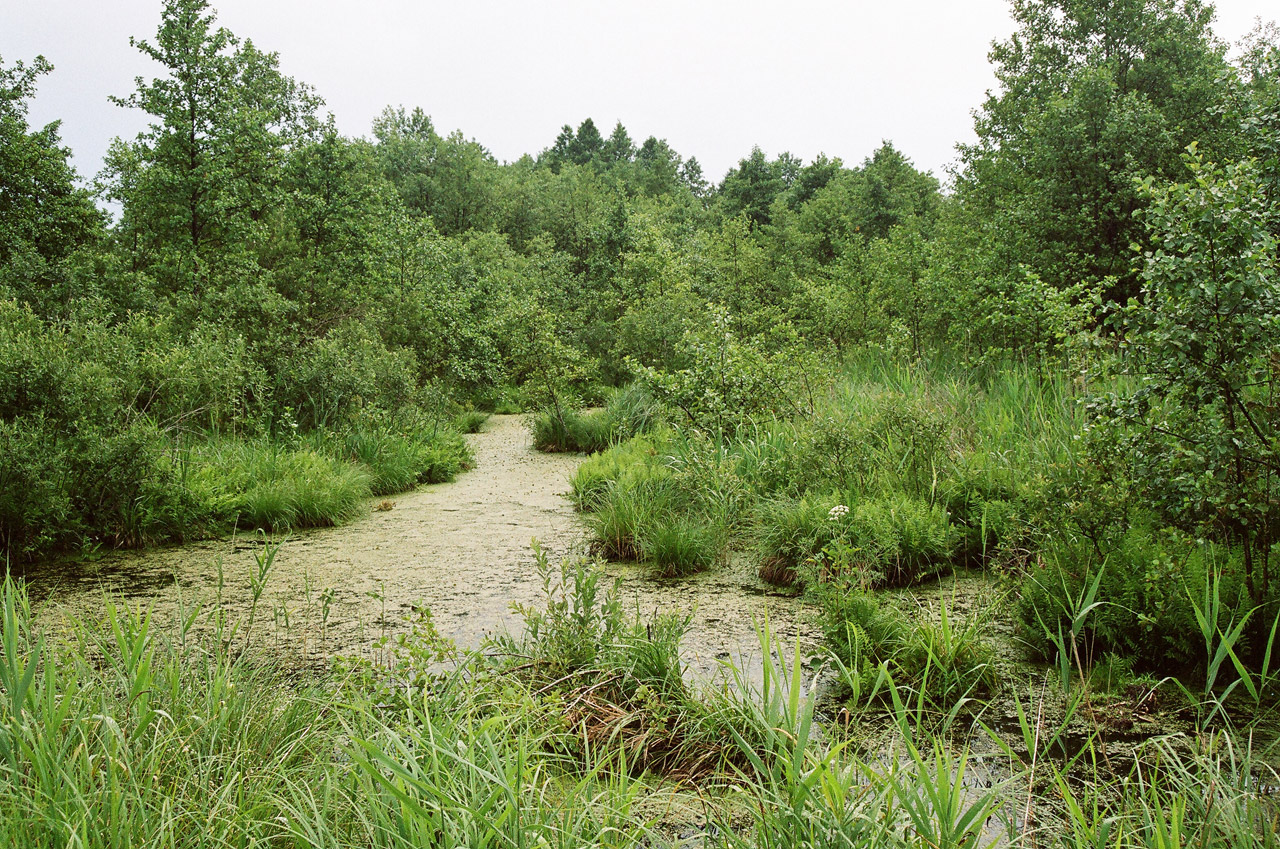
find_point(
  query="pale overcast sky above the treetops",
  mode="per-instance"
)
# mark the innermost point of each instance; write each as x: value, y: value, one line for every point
x: 712, y: 77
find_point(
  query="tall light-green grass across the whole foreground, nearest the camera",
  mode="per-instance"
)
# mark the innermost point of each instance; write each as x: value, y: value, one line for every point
x: 578, y: 732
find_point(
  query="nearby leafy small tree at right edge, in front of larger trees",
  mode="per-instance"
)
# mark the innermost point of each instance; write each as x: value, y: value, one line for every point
x: 1200, y: 428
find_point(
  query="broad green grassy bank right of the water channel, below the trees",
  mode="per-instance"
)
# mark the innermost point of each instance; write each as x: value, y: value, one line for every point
x: 903, y: 474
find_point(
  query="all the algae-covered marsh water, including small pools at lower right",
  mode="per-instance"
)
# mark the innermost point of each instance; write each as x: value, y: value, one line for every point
x: 464, y: 553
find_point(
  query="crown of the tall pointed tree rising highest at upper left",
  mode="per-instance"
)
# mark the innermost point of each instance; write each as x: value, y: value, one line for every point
x: 200, y: 181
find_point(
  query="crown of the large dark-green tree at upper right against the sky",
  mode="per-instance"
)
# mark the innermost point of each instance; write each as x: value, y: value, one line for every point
x: 1092, y: 95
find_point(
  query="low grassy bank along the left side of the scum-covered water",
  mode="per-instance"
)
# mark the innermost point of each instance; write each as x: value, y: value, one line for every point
x: 144, y: 489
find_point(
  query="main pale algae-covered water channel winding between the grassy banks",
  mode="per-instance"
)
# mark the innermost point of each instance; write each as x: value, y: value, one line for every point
x: 460, y: 550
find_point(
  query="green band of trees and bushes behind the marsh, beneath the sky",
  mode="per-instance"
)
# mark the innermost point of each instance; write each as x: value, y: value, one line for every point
x: 271, y: 282
